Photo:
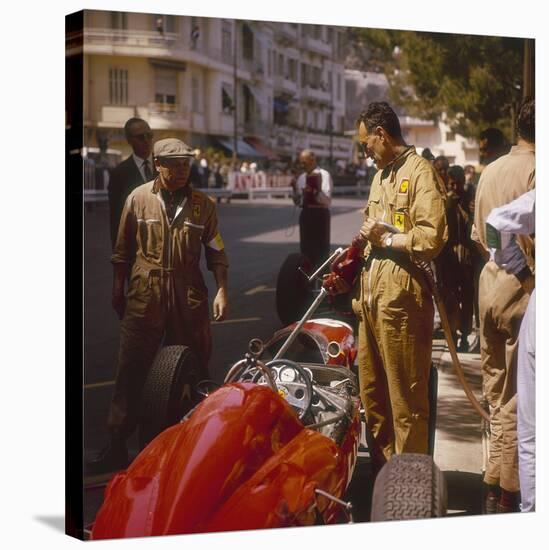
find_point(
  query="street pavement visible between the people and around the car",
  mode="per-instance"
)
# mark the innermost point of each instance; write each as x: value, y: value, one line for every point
x: 259, y: 234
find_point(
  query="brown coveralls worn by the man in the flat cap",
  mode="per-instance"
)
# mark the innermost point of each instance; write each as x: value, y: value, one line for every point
x: 167, y: 297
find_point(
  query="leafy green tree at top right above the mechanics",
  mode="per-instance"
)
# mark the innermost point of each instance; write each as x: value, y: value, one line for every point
x: 475, y: 80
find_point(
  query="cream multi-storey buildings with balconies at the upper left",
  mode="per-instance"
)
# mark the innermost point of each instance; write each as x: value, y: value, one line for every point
x: 178, y: 73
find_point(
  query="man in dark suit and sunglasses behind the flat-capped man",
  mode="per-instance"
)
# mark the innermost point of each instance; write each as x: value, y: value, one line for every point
x: 137, y: 169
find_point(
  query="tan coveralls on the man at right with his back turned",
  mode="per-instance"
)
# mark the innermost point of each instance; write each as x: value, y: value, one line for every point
x: 502, y: 304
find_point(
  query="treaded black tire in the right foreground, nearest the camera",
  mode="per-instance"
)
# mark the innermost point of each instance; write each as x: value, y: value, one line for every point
x: 409, y: 486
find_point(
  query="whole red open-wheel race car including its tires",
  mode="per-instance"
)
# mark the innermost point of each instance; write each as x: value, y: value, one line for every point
x: 274, y: 446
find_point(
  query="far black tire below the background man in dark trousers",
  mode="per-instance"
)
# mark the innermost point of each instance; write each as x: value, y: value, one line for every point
x: 293, y: 293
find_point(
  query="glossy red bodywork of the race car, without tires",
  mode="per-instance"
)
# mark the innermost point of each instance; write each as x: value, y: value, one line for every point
x: 242, y: 459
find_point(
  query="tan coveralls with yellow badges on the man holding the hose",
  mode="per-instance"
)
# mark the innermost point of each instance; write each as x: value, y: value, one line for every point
x: 395, y: 308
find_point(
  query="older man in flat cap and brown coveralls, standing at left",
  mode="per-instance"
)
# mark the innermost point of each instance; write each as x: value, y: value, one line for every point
x: 163, y: 227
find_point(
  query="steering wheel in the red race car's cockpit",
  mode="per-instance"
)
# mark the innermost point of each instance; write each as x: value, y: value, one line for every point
x: 299, y: 391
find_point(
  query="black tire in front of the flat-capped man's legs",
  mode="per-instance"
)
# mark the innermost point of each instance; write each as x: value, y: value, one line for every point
x: 170, y: 391
